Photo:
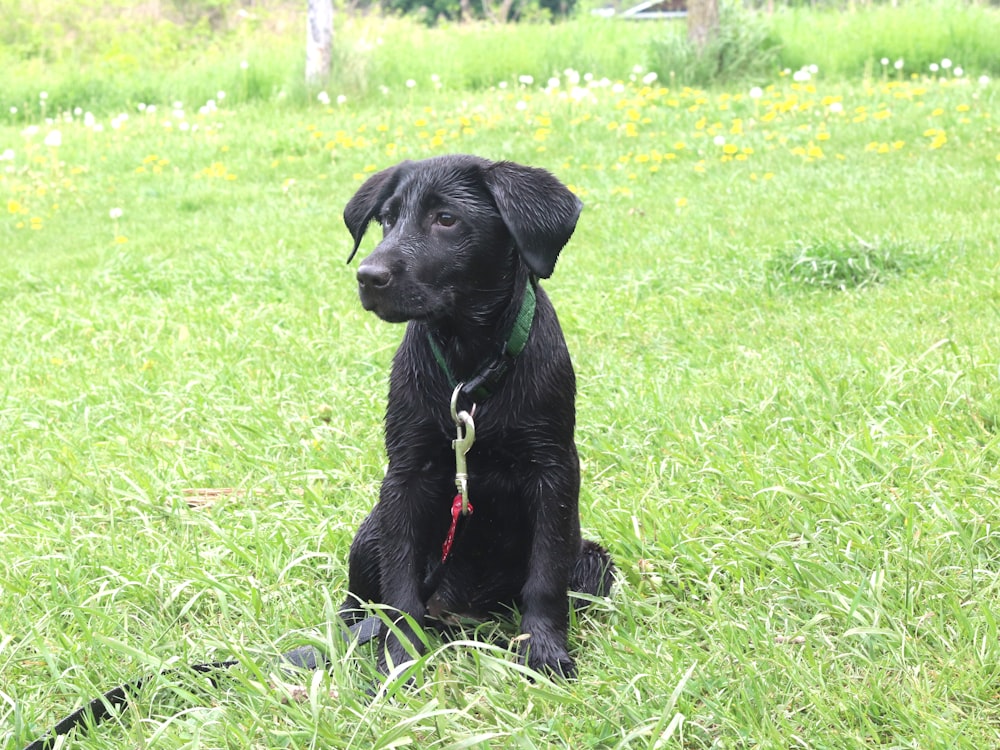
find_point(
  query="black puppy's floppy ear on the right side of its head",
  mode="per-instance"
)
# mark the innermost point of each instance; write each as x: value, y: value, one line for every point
x: 539, y: 211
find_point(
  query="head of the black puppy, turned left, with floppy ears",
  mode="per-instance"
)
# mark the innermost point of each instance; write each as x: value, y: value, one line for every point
x: 453, y: 226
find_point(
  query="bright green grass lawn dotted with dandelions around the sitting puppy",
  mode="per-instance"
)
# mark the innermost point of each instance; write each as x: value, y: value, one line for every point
x: 783, y: 309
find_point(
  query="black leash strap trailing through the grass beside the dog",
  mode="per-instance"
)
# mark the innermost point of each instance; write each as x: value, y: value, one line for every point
x: 117, y: 699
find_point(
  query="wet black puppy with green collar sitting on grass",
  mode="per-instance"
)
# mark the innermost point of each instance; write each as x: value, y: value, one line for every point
x: 464, y: 242
